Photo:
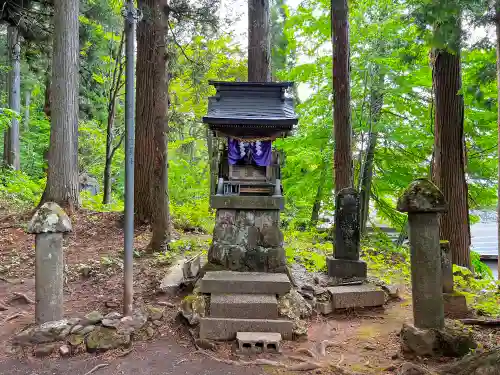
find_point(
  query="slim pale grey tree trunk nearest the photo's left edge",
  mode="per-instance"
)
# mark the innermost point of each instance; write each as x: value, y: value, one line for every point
x: 13, y: 150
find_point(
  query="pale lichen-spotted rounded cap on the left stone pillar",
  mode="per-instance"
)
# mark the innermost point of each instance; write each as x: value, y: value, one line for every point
x: 50, y: 218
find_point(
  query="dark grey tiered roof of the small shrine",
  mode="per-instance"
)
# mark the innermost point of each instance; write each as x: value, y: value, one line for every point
x: 261, y: 104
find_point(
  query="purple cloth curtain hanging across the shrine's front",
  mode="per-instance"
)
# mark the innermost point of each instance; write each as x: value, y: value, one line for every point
x: 259, y: 152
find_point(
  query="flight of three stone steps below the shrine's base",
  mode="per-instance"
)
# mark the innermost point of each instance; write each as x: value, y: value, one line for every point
x: 243, y: 302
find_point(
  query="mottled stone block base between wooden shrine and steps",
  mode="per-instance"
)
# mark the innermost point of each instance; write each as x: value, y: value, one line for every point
x: 248, y: 240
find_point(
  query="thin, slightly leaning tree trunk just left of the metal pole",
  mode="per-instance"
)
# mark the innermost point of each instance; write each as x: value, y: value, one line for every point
x: 116, y: 84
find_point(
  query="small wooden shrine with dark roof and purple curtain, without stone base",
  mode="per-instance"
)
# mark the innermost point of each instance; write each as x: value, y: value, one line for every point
x: 245, y: 118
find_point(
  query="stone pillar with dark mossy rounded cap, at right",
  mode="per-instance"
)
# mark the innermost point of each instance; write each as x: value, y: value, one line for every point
x: 423, y: 201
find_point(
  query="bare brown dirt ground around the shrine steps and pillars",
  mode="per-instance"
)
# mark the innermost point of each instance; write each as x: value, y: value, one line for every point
x: 364, y: 342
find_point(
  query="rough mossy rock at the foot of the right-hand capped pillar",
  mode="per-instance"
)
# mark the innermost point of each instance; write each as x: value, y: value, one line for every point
x: 450, y: 341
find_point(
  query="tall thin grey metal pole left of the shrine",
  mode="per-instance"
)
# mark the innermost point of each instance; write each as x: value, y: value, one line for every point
x: 128, y: 262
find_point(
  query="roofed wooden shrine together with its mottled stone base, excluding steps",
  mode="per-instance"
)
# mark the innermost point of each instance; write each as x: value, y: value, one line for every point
x: 243, y: 119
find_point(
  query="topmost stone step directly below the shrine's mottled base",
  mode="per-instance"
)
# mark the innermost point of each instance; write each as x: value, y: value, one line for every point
x: 228, y: 282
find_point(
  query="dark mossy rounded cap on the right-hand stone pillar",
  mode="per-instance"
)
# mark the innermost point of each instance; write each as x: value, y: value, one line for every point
x: 422, y: 196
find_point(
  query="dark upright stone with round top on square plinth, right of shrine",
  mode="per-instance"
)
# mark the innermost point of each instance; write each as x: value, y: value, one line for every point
x: 345, y: 263
